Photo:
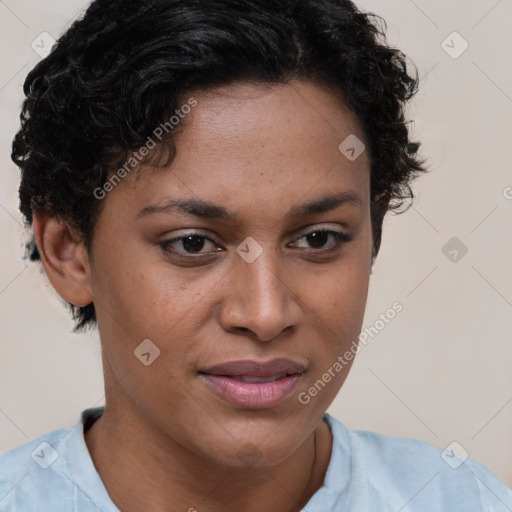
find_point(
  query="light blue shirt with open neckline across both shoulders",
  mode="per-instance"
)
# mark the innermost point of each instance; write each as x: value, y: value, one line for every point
x: 368, y: 472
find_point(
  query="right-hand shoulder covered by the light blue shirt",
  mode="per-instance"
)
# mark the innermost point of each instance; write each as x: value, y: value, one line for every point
x: 410, y: 471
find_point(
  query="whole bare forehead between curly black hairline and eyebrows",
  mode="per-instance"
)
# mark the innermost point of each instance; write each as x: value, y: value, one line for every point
x: 252, y: 143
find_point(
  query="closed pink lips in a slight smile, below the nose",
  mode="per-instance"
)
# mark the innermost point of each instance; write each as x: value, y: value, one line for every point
x: 224, y: 379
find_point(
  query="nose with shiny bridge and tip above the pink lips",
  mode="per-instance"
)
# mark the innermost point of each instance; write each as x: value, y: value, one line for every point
x: 260, y: 300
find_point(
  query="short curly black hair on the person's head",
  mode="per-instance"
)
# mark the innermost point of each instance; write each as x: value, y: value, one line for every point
x: 120, y: 71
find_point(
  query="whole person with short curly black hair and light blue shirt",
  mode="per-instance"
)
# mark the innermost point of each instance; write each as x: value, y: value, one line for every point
x: 206, y: 182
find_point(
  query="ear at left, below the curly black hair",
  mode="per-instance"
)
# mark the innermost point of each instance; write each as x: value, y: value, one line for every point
x: 64, y: 258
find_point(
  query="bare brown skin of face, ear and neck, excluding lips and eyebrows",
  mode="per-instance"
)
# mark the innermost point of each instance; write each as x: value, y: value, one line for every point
x: 259, y: 151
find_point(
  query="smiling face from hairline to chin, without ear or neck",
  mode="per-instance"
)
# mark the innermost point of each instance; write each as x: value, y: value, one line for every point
x: 247, y: 301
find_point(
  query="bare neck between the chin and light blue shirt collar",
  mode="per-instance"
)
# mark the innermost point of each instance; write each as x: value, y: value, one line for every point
x: 173, y: 477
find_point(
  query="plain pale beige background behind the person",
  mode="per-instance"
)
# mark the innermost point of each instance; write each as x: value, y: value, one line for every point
x: 441, y: 370
